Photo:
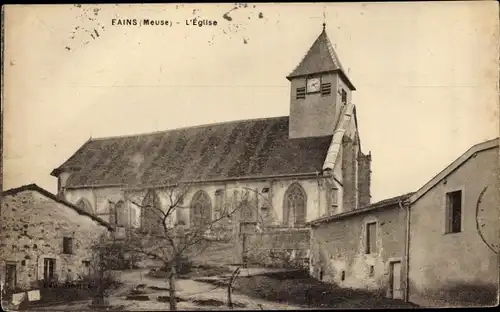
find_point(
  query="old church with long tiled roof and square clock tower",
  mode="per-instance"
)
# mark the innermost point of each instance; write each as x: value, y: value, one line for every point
x: 287, y: 171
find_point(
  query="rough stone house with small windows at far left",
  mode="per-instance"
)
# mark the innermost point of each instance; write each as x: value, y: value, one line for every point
x: 44, y: 238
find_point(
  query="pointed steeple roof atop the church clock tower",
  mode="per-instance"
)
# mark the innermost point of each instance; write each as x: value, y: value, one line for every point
x: 320, y: 58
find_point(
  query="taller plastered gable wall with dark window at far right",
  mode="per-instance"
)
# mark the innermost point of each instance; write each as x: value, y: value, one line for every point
x: 454, y: 236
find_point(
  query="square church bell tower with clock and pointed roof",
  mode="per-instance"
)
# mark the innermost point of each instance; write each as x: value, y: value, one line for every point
x: 319, y: 88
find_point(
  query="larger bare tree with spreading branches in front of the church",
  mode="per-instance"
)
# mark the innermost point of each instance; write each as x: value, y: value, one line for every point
x: 170, y: 242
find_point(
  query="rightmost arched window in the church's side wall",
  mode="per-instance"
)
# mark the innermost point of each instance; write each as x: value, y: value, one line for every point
x: 294, y: 206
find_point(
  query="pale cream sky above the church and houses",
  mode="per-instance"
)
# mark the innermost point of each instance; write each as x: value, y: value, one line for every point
x: 426, y: 76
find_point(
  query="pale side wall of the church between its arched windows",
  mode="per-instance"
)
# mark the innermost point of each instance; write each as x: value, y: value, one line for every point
x: 266, y: 196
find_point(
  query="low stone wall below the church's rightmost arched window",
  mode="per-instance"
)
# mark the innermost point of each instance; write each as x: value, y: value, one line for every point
x: 277, y: 247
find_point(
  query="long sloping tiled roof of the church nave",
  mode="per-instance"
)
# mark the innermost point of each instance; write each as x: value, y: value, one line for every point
x: 231, y: 150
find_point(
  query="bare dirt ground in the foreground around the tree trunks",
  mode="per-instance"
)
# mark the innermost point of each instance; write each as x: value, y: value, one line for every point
x: 264, y: 290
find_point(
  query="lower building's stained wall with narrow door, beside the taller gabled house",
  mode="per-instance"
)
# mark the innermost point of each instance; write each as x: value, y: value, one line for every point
x: 363, y: 249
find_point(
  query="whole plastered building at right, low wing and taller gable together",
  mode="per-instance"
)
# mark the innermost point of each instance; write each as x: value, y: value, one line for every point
x: 435, y: 247
